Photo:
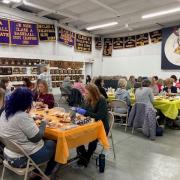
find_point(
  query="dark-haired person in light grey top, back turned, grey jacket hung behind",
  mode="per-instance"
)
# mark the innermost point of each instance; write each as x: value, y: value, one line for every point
x: 144, y: 94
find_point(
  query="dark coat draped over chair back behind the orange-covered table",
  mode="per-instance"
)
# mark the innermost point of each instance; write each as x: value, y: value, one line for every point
x: 75, y: 98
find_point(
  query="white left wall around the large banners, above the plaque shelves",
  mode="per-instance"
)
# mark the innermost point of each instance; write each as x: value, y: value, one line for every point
x: 46, y: 50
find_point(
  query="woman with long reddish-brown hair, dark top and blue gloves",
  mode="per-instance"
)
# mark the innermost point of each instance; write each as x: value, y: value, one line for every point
x: 95, y: 107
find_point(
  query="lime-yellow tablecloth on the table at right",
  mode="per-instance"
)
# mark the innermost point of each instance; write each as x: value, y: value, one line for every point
x: 168, y: 108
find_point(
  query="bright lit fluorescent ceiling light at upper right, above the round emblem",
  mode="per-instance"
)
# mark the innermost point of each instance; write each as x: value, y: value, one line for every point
x: 161, y: 13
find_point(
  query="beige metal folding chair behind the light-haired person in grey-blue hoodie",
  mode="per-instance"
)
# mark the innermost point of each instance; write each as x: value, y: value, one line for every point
x: 120, y: 104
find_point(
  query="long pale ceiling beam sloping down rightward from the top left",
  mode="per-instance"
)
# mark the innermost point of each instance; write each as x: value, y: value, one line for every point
x: 70, y: 15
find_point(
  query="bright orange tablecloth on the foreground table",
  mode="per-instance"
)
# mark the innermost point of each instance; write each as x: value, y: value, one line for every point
x: 72, y: 138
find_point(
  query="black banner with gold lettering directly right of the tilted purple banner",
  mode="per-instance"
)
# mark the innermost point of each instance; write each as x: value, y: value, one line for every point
x: 83, y: 43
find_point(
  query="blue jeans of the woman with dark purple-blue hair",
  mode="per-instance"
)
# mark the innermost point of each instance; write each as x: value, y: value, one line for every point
x: 46, y: 153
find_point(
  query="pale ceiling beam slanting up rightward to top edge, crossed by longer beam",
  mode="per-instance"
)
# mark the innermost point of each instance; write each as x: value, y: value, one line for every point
x: 60, y: 7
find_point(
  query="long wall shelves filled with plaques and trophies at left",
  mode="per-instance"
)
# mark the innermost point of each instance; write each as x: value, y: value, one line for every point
x: 16, y: 69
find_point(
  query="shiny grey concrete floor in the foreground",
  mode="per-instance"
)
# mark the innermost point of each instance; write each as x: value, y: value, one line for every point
x: 137, y: 158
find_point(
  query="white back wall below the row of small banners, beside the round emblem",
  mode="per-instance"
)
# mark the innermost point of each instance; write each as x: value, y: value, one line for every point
x: 139, y: 61
